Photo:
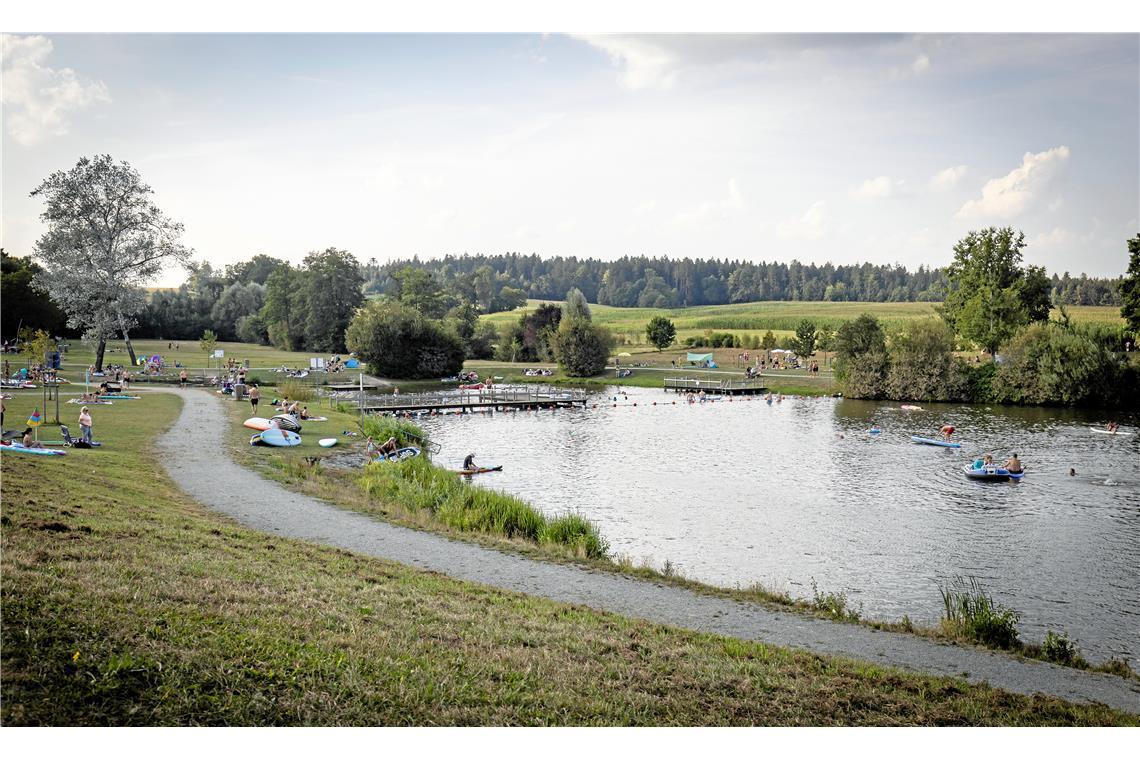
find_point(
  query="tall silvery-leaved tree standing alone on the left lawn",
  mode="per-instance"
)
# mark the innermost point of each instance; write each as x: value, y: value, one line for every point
x: 107, y: 240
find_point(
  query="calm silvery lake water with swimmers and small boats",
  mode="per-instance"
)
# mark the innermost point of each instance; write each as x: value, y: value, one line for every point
x: 735, y: 493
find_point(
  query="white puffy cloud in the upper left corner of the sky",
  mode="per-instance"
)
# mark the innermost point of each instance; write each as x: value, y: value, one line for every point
x: 38, y: 101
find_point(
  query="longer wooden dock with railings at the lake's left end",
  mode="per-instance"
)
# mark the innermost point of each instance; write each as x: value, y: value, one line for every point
x: 504, y: 397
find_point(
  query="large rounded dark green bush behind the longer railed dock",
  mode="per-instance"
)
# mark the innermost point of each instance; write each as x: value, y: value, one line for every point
x: 398, y: 341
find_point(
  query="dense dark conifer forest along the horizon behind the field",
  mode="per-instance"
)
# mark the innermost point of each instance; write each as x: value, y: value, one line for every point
x: 670, y: 283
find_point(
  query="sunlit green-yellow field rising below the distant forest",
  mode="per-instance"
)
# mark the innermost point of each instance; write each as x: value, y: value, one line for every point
x: 781, y: 317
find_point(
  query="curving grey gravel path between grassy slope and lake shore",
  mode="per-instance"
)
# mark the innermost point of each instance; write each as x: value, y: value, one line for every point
x: 200, y: 465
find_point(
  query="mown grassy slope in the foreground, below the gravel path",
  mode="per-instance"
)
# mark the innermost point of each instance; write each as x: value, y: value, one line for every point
x: 125, y: 603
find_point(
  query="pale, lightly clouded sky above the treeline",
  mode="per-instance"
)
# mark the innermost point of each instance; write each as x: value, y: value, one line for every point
x: 843, y: 149
